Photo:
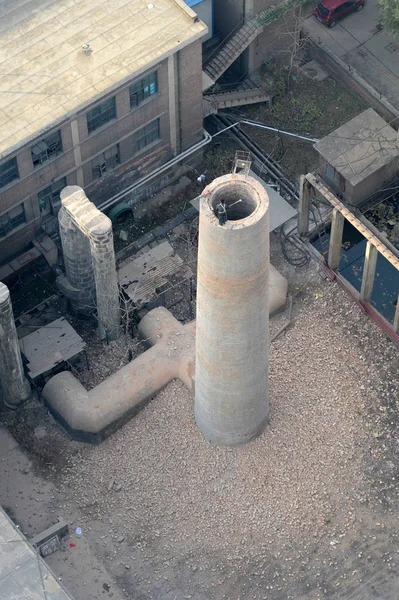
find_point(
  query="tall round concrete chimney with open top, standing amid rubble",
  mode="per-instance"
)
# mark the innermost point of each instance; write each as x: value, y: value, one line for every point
x: 232, y: 331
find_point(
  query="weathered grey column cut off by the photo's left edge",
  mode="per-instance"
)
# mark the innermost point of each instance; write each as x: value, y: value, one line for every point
x: 14, y: 387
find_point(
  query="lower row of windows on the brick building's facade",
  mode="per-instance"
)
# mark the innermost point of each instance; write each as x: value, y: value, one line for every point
x: 49, y: 198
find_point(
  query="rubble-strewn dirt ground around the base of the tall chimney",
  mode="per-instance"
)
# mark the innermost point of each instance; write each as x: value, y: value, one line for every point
x: 306, y: 511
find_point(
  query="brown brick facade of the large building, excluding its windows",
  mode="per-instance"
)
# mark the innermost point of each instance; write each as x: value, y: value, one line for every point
x: 178, y: 105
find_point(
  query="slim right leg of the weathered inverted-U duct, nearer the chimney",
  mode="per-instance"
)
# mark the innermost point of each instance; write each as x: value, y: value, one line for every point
x: 107, y: 291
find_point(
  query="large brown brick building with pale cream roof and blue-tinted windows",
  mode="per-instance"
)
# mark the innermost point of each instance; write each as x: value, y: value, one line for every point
x: 91, y: 91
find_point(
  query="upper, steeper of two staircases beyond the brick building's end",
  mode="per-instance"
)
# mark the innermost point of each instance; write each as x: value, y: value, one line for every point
x: 231, y: 48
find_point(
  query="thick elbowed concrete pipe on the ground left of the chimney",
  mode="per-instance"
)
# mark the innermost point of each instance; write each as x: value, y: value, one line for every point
x: 92, y: 415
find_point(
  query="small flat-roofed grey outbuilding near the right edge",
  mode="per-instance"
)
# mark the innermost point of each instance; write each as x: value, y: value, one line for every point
x: 359, y: 158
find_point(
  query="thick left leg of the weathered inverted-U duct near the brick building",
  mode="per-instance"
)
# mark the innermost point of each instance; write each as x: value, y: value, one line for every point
x: 80, y: 286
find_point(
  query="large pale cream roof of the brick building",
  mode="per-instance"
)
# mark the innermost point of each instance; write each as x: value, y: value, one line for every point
x: 44, y: 72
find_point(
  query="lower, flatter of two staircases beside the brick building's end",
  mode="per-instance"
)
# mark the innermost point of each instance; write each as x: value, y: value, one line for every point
x: 230, y: 95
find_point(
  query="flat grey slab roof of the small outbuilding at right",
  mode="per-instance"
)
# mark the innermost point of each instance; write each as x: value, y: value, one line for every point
x: 360, y: 147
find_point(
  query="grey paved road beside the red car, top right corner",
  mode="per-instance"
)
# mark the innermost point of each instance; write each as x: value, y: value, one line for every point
x: 359, y: 42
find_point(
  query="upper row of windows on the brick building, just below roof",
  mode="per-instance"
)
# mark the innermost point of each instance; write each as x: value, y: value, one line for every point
x: 51, y: 146
